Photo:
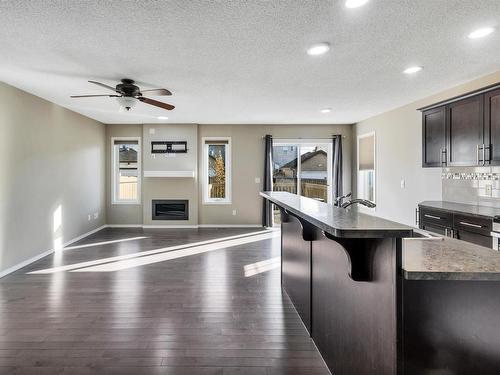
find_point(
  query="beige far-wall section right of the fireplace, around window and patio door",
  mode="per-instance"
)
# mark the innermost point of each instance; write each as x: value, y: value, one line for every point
x: 247, y: 146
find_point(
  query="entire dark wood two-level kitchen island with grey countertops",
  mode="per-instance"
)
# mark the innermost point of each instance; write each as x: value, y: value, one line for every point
x: 376, y: 300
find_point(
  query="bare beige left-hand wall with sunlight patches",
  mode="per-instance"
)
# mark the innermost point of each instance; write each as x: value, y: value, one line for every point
x: 50, y: 157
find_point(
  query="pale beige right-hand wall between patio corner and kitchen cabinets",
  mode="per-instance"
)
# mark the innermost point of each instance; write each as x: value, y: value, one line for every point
x: 399, y: 156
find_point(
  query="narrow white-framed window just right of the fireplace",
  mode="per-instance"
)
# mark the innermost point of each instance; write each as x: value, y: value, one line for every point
x: 217, y: 170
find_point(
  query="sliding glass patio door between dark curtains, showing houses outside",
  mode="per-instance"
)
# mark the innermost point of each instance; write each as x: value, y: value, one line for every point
x: 310, y: 177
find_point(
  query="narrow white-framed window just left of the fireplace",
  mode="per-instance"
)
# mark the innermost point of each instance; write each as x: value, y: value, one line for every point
x: 126, y: 170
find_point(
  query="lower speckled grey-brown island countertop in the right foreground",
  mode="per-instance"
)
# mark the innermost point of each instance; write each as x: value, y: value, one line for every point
x: 449, y: 259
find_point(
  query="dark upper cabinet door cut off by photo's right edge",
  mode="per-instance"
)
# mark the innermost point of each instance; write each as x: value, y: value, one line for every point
x: 492, y: 127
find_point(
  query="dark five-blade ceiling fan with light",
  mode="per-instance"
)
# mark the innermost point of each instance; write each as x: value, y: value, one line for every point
x: 127, y: 94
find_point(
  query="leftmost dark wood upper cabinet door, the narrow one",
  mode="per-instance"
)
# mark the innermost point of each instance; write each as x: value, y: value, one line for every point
x: 434, y: 137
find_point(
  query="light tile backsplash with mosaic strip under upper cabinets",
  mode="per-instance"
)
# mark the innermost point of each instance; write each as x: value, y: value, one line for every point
x: 472, y: 185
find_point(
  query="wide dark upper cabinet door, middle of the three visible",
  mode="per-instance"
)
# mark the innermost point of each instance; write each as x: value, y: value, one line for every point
x: 465, y: 132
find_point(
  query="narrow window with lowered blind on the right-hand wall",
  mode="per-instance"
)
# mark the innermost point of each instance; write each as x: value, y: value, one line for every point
x: 366, y: 167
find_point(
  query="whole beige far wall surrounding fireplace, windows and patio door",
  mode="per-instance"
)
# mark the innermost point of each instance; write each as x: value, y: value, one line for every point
x: 247, y: 163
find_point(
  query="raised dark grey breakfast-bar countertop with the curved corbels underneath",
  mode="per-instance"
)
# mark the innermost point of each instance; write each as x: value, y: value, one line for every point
x: 337, y: 221
